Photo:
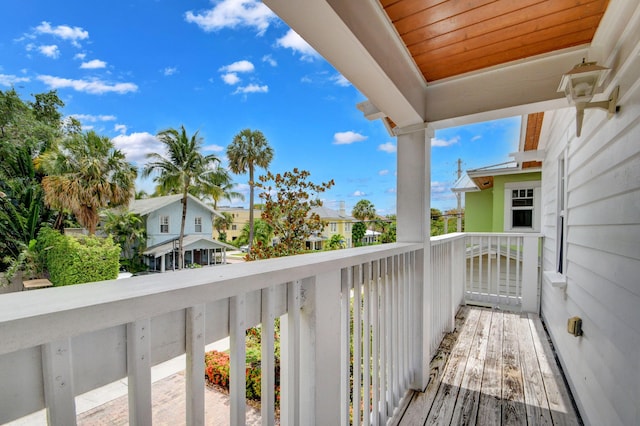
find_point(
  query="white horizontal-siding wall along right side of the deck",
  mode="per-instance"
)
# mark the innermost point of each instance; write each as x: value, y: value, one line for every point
x: 603, y: 254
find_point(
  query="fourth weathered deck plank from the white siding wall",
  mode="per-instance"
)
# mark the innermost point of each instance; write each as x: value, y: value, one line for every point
x: 490, y: 405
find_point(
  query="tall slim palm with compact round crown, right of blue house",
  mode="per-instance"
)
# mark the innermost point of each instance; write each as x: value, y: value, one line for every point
x: 248, y: 150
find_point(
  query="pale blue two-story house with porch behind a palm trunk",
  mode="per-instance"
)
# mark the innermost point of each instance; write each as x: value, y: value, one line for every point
x: 163, y: 217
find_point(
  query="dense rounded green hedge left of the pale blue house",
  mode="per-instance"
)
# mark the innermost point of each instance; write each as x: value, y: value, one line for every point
x: 76, y: 260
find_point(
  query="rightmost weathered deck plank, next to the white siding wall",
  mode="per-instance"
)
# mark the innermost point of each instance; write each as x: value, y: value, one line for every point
x: 560, y: 406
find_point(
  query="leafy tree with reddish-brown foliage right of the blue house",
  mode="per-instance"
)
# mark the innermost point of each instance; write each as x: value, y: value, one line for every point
x: 288, y: 200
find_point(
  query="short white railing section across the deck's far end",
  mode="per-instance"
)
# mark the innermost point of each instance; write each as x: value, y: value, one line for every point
x: 503, y: 270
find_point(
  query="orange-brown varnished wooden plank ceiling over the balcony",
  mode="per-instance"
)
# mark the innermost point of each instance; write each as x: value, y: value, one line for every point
x: 447, y: 38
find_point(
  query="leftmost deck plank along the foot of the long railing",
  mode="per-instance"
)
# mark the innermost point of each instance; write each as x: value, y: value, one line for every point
x: 421, y: 403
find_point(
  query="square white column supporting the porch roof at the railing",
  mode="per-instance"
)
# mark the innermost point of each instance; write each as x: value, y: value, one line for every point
x: 413, y: 199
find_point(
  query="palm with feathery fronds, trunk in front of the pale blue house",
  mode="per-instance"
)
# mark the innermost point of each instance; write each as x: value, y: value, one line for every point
x: 180, y: 170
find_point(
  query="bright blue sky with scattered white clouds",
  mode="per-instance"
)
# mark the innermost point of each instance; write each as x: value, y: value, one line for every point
x: 131, y: 69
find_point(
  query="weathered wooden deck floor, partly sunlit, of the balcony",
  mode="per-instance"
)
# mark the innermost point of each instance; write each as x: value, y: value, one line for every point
x: 496, y: 368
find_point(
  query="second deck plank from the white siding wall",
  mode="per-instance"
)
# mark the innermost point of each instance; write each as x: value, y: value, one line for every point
x: 534, y: 392
